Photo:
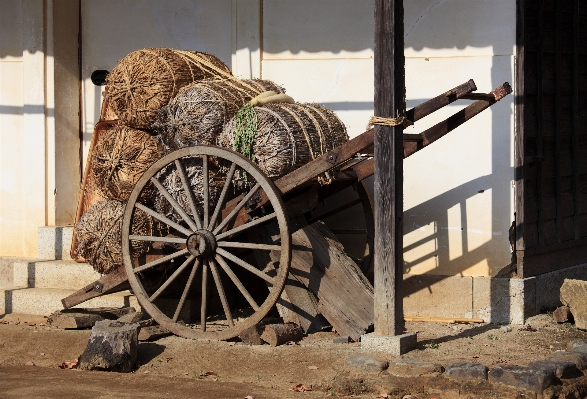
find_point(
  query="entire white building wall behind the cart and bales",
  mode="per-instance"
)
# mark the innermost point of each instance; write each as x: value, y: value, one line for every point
x: 458, y: 192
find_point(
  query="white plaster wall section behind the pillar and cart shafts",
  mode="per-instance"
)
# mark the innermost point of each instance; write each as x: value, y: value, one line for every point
x: 457, y: 193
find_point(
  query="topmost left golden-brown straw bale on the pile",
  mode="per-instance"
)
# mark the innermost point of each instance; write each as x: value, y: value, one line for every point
x: 145, y: 80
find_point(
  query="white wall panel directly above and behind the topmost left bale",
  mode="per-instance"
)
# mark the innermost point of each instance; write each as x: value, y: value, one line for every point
x: 112, y: 28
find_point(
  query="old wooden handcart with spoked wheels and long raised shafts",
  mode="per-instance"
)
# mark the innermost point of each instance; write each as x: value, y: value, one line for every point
x: 207, y: 244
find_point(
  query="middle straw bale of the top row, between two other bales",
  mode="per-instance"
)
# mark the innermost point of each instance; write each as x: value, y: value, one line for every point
x: 200, y: 110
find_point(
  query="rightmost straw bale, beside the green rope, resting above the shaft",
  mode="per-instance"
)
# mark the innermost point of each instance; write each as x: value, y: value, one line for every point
x: 289, y: 136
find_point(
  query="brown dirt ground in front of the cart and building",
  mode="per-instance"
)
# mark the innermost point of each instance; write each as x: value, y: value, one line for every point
x: 172, y: 366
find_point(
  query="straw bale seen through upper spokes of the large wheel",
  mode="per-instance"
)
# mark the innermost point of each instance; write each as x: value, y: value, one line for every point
x: 171, y: 180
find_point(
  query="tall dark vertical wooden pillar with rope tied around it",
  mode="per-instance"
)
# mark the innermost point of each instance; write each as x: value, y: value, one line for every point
x: 389, y: 103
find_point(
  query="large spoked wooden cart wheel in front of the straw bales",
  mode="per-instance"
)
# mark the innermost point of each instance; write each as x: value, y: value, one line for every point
x: 205, y: 257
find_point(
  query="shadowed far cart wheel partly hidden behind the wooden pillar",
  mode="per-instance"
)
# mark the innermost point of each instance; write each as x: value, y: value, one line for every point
x: 349, y: 214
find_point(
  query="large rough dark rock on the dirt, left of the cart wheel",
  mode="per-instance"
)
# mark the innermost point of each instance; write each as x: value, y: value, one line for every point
x: 112, y: 346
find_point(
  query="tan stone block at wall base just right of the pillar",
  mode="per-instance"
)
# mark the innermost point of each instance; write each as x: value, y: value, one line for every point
x: 426, y: 295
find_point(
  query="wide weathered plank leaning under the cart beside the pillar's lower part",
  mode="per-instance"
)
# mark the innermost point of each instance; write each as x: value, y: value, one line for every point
x: 345, y: 296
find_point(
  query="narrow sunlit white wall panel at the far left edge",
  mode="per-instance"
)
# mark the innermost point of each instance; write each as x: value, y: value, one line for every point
x: 22, y: 177
